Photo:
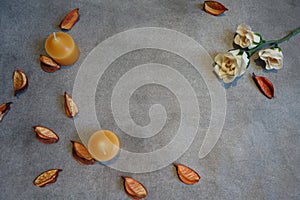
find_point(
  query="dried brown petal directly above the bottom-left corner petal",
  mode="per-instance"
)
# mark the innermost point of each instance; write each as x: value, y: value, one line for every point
x: 45, y: 135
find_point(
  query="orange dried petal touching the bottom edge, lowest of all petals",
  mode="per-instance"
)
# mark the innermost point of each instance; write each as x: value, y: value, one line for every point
x: 134, y: 188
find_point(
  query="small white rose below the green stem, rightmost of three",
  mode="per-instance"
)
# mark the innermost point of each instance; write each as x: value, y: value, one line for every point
x: 273, y: 58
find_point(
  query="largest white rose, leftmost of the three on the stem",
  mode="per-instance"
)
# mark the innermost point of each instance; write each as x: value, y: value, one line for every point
x: 231, y: 64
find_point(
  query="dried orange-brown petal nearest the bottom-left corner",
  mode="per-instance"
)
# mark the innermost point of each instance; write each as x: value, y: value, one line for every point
x: 46, y: 177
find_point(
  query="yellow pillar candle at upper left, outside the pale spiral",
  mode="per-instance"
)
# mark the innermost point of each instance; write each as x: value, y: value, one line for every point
x: 61, y: 47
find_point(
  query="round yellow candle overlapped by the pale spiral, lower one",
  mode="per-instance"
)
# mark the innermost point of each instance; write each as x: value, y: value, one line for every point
x: 104, y: 145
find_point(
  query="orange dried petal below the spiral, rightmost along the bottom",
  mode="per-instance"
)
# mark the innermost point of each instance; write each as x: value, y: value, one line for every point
x: 186, y: 174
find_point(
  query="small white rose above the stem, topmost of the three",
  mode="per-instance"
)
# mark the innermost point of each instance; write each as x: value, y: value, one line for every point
x: 245, y: 37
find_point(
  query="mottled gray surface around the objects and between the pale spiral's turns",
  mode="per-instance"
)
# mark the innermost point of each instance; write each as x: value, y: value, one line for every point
x: 257, y: 156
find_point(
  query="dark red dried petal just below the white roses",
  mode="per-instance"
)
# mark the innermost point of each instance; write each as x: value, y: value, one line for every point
x: 264, y: 85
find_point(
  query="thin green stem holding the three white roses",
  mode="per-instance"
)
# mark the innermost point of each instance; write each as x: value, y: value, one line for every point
x: 265, y: 44
